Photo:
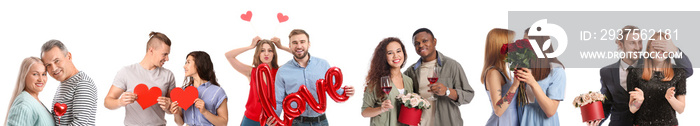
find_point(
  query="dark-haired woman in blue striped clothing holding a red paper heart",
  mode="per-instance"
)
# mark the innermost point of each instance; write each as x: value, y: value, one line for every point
x: 210, y: 107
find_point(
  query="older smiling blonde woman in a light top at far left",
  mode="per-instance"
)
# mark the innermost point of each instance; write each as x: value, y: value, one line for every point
x: 25, y: 107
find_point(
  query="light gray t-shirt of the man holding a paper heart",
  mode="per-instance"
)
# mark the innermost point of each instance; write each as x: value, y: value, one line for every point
x: 128, y: 77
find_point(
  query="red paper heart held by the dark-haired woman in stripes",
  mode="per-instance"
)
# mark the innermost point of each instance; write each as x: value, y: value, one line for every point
x: 184, y: 98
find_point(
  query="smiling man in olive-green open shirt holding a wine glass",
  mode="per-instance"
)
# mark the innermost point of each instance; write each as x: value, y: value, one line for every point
x: 452, y: 88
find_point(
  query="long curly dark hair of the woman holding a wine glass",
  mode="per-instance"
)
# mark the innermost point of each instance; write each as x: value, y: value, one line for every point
x: 379, y: 66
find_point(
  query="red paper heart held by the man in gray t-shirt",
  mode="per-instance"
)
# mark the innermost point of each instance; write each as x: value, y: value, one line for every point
x: 147, y: 97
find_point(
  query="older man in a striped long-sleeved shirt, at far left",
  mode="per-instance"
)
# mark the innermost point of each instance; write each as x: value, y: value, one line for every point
x: 77, y: 90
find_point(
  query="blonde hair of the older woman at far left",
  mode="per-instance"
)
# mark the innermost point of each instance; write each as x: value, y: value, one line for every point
x: 19, y: 87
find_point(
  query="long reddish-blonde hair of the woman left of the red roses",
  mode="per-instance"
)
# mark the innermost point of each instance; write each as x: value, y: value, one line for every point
x: 492, y: 53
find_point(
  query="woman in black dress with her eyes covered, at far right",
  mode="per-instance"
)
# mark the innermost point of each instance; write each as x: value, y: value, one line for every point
x: 657, y: 87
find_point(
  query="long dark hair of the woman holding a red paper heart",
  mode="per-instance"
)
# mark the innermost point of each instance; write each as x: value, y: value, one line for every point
x: 205, y: 69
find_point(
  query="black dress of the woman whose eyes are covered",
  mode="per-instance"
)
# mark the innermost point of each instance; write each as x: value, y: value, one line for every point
x: 655, y: 110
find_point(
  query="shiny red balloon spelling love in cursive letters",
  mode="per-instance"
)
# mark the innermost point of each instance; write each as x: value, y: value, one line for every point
x: 301, y: 97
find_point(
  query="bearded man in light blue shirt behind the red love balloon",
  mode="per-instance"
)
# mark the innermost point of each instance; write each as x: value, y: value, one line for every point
x: 302, y: 70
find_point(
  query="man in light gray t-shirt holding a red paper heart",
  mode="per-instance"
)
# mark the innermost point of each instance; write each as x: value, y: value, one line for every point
x: 150, y: 72
